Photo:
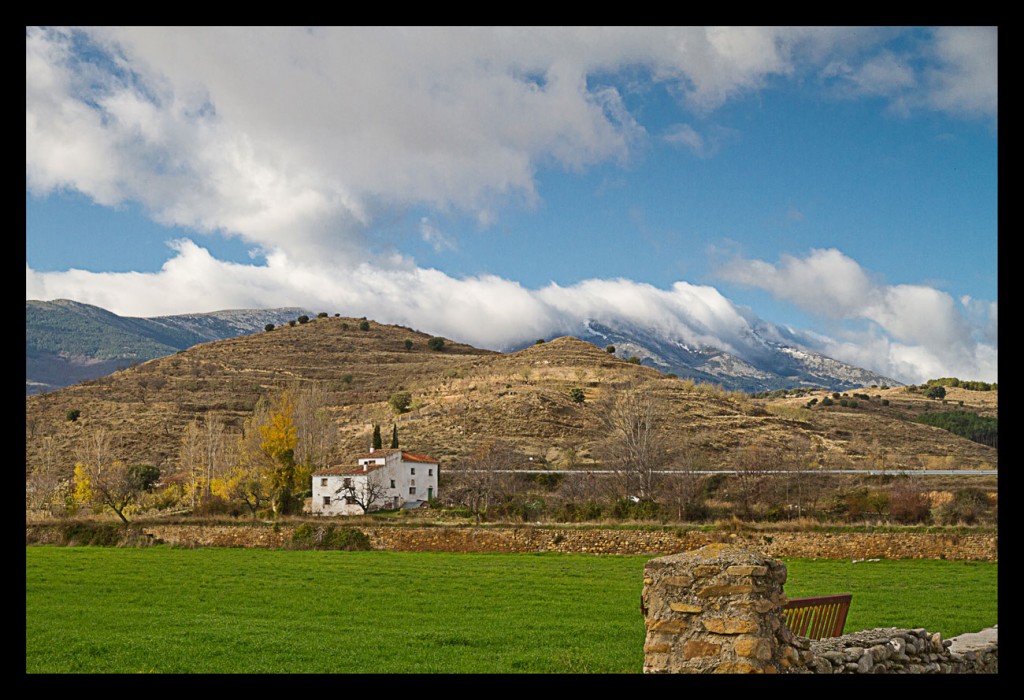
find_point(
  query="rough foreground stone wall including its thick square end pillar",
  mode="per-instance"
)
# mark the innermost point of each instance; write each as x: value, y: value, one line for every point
x: 719, y: 610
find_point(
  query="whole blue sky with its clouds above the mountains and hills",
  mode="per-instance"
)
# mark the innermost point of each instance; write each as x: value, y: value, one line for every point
x: 837, y: 187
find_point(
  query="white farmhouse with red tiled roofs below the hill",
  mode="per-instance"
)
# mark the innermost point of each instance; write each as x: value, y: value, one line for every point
x: 380, y: 479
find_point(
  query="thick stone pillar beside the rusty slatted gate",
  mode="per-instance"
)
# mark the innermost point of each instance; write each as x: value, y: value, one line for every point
x: 715, y: 610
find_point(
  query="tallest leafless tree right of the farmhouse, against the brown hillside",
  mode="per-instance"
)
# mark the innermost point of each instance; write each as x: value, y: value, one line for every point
x: 634, y: 449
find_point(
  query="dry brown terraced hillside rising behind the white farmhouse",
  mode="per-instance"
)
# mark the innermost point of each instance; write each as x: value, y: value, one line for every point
x: 463, y: 395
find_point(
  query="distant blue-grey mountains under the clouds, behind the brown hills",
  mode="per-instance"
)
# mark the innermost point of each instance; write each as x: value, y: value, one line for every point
x: 69, y: 342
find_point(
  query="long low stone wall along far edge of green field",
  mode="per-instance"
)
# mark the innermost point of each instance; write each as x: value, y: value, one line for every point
x: 803, y: 545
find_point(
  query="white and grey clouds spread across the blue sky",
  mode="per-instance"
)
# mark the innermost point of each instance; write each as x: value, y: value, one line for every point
x: 300, y: 142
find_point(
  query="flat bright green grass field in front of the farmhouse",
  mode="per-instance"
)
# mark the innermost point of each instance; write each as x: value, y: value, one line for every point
x: 105, y: 610
